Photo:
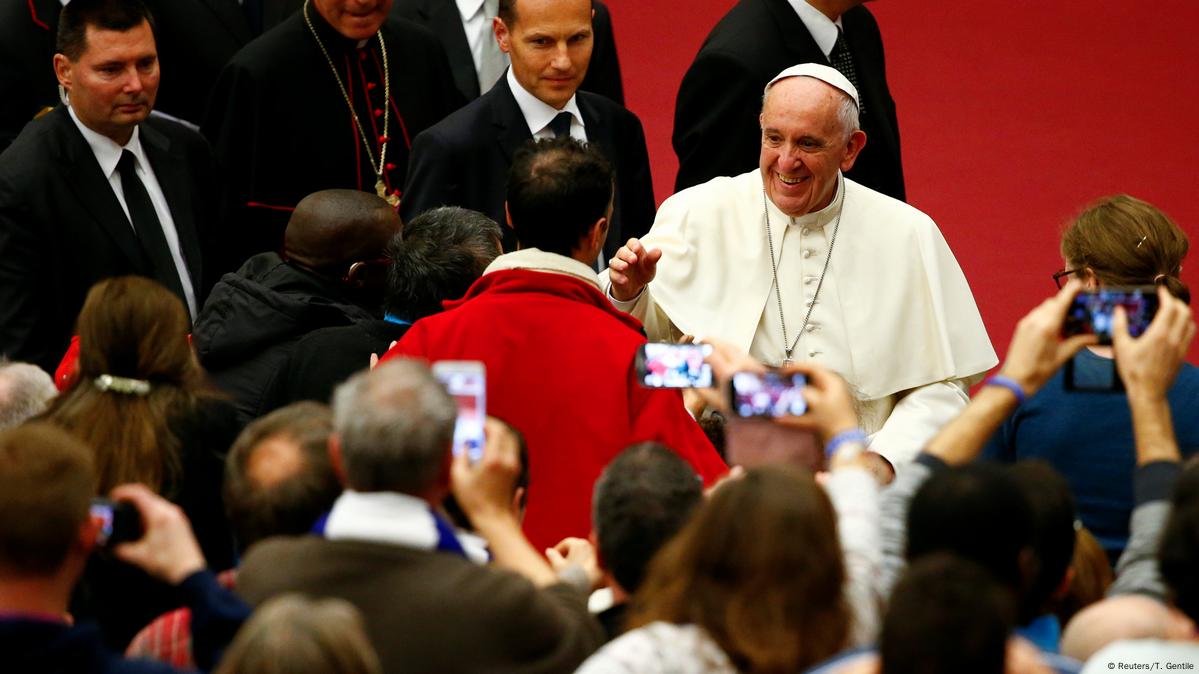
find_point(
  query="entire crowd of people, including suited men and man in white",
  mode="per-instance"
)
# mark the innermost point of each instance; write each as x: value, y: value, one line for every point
x: 224, y: 447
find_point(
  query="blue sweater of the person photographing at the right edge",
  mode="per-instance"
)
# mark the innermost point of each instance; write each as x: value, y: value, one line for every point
x: 1088, y: 438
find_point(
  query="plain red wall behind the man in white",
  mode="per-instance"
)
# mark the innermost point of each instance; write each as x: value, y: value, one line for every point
x: 1014, y: 116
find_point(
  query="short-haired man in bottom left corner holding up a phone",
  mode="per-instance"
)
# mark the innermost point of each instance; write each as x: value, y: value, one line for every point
x: 47, y: 534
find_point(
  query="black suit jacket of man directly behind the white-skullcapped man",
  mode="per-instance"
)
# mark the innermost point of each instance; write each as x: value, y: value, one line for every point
x: 716, y: 127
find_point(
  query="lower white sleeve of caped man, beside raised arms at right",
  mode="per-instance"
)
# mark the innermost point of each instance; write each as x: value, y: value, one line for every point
x: 917, y: 418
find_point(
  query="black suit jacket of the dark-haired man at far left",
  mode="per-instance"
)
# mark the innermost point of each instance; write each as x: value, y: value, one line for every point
x: 63, y: 230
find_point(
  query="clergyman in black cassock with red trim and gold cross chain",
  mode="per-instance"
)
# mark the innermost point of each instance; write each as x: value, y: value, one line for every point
x: 329, y: 99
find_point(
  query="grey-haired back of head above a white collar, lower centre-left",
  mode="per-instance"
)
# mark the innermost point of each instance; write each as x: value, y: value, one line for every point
x: 395, y: 425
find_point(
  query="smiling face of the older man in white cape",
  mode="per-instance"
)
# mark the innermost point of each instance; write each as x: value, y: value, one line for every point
x: 804, y: 145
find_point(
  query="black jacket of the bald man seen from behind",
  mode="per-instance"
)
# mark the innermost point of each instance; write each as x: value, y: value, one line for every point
x: 254, y: 320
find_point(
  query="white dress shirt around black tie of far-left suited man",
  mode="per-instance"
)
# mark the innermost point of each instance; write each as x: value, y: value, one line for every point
x: 109, y: 155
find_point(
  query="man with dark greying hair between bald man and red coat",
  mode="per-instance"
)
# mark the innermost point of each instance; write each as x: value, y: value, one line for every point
x: 437, y: 258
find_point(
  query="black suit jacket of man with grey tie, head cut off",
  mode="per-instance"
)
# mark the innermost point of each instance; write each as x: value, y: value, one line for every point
x: 443, y: 19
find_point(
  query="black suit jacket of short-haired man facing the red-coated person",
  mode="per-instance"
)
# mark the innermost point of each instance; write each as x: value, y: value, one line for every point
x: 465, y: 161
